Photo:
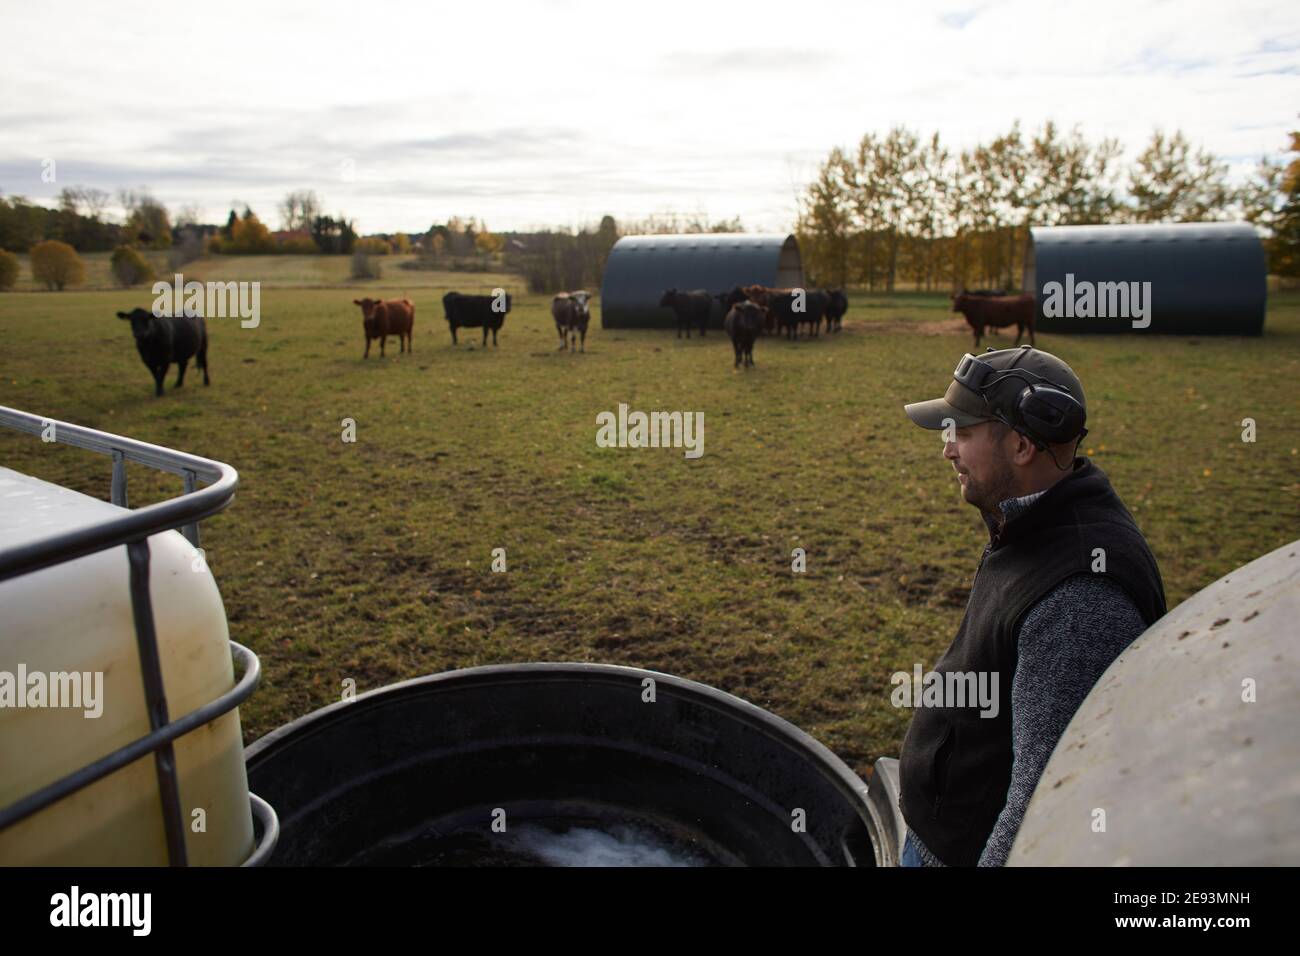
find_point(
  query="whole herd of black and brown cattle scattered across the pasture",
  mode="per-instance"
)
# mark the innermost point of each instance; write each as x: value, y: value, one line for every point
x: 751, y: 312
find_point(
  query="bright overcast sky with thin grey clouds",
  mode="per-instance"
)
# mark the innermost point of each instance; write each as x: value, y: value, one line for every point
x: 554, y: 114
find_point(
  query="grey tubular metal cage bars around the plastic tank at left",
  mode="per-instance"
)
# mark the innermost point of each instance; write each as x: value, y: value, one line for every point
x: 133, y: 530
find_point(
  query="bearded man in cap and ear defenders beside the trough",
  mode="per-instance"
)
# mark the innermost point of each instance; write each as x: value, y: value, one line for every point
x: 1065, y: 585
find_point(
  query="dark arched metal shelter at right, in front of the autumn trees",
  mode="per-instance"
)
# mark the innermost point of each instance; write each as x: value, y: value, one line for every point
x: 1195, y: 279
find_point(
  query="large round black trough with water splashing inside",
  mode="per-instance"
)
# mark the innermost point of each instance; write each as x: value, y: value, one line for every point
x: 558, y: 764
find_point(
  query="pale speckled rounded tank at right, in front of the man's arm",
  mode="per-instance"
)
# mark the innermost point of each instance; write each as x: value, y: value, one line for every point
x: 1186, y: 751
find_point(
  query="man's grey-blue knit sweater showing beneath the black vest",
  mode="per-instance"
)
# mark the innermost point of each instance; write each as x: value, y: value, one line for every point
x: 1065, y: 644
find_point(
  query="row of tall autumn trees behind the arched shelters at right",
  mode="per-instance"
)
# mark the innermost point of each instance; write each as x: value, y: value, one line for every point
x: 902, y: 209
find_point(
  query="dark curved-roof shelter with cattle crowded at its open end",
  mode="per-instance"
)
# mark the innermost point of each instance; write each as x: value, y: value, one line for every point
x: 642, y: 267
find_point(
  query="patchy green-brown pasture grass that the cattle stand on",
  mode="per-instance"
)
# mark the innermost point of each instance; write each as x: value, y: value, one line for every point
x: 372, y: 560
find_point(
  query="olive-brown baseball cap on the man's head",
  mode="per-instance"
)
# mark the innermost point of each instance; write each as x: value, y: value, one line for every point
x: 967, y: 406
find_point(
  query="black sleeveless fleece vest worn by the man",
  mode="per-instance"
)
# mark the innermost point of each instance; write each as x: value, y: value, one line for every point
x: 956, y: 767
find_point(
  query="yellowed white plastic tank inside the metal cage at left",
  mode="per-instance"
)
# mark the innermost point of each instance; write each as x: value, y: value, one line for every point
x: 77, y: 618
